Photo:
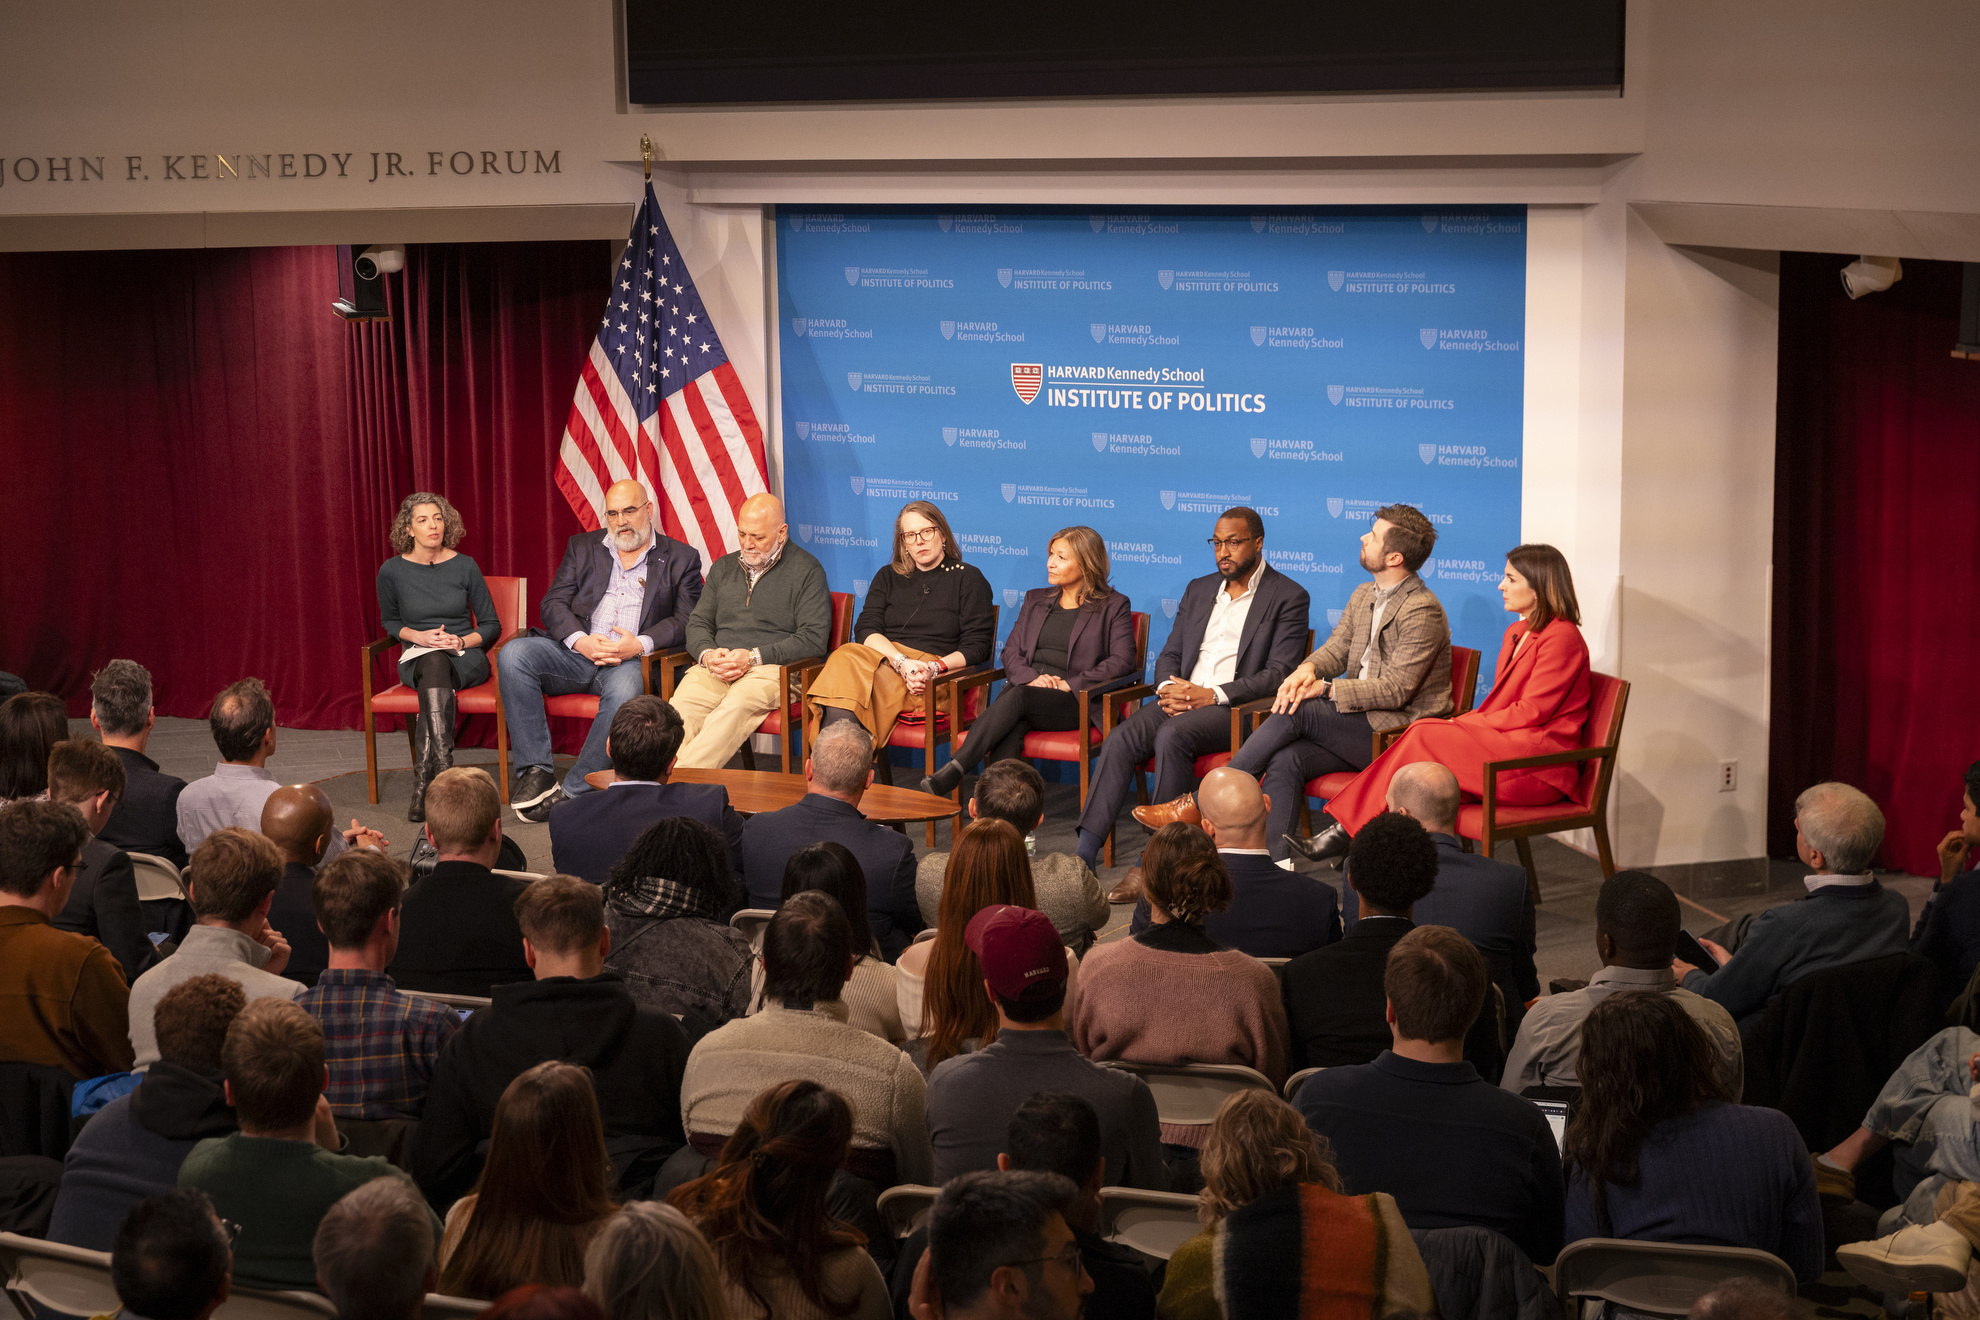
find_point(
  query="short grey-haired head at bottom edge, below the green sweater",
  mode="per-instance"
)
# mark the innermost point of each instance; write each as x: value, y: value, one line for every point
x: 375, y: 1252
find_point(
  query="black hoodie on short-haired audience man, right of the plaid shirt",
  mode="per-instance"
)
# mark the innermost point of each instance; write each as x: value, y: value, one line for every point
x: 635, y: 1054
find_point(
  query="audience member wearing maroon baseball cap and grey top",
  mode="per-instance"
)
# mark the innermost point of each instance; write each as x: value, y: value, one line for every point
x: 973, y: 1097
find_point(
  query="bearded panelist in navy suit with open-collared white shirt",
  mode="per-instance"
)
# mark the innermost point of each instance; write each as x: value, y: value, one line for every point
x: 1238, y: 634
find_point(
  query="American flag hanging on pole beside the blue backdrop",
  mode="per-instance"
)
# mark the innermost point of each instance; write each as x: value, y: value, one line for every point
x: 660, y: 403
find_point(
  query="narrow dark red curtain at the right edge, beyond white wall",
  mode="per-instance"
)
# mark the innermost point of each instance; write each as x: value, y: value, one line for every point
x: 1876, y: 549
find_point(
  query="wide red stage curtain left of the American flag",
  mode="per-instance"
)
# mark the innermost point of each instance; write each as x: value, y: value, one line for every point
x: 203, y: 460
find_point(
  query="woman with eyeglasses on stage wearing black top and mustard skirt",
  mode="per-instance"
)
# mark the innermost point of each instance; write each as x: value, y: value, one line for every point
x: 926, y: 614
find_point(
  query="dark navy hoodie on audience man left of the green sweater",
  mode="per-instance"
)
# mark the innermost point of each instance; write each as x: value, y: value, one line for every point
x: 134, y: 1149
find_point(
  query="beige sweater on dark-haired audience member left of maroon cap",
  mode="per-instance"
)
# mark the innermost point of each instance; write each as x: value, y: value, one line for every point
x: 745, y: 1058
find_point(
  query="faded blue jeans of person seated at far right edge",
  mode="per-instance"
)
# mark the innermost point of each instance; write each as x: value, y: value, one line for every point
x: 1930, y: 1119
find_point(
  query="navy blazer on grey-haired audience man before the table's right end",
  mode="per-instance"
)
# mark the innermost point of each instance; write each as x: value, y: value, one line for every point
x: 884, y: 854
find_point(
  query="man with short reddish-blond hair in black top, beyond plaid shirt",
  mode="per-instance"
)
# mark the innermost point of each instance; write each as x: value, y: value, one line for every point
x: 458, y: 933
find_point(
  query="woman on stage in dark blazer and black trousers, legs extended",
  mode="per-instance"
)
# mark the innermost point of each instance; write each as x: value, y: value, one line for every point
x: 1070, y: 636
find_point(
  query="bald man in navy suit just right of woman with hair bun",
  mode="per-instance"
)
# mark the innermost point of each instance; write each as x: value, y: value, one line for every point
x: 1274, y: 913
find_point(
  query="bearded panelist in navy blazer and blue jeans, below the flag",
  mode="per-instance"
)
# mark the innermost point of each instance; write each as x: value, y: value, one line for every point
x: 619, y: 595
